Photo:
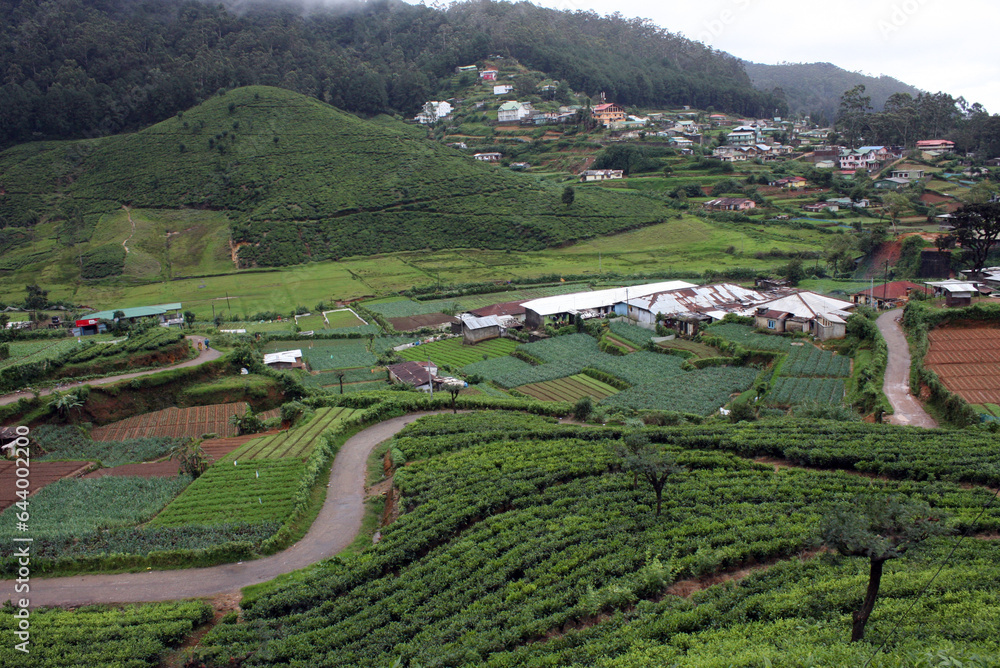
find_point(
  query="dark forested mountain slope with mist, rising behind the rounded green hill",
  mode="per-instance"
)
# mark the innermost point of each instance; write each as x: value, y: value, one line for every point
x: 87, y: 68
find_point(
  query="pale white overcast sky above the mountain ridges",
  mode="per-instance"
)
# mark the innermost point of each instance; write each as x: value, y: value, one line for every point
x: 935, y: 45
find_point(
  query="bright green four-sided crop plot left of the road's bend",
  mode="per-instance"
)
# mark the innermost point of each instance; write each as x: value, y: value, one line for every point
x: 254, y: 490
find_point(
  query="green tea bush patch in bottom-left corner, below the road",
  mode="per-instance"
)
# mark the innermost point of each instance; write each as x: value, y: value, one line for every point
x: 133, y: 636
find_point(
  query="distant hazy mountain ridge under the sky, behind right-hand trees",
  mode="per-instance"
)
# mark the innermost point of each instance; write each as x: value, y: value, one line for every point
x: 816, y: 88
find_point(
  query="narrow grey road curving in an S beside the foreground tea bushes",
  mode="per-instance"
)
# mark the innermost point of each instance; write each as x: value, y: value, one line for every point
x: 338, y: 522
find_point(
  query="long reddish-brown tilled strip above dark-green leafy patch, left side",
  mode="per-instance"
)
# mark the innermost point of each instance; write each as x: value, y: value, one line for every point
x: 177, y: 423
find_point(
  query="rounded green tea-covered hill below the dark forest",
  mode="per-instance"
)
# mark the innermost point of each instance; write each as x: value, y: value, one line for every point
x: 298, y: 180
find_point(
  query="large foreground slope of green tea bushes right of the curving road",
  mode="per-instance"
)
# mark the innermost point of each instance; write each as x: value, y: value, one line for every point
x: 523, y: 543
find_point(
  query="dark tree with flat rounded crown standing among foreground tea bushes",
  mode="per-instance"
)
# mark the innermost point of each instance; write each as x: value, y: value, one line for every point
x: 880, y: 528
